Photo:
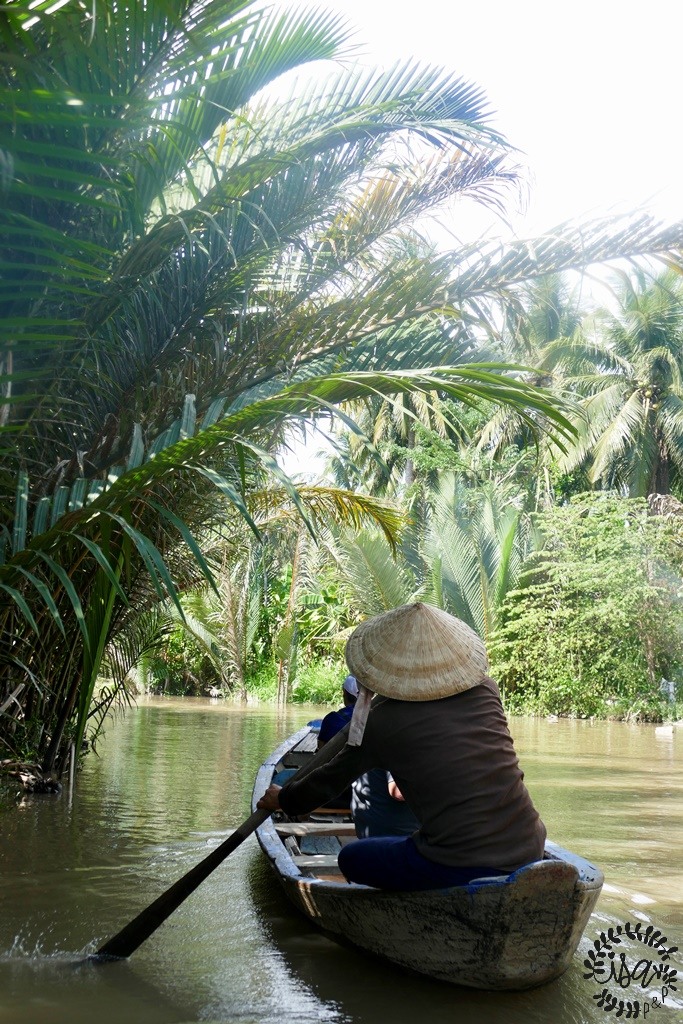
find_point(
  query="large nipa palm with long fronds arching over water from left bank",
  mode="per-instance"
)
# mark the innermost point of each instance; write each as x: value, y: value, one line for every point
x: 190, y: 263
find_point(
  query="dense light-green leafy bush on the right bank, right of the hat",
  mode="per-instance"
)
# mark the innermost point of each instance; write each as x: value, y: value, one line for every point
x: 596, y: 622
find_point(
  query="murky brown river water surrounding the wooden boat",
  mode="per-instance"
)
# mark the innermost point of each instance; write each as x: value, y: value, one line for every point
x: 174, y: 778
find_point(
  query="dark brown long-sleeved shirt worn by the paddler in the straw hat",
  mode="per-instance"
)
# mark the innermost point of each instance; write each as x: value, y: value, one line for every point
x: 455, y: 763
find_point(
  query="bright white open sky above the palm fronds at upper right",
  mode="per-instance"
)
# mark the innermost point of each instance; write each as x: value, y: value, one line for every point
x: 589, y: 93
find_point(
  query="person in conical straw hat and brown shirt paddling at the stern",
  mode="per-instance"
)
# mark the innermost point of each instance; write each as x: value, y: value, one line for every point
x: 438, y: 724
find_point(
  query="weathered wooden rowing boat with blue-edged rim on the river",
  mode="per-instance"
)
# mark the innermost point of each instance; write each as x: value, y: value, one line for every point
x: 505, y: 933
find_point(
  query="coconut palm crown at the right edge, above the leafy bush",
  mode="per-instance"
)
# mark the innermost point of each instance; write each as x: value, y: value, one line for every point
x: 631, y: 437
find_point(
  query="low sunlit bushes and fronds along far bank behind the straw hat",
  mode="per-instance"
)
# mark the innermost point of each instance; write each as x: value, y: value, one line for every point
x: 580, y: 604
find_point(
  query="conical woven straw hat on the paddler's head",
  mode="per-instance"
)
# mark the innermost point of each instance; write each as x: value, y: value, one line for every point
x: 416, y: 653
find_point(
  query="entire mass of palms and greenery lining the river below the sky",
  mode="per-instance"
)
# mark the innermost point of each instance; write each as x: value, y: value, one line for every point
x: 196, y: 266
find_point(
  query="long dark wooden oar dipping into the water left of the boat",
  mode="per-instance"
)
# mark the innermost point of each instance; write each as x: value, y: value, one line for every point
x: 135, y: 934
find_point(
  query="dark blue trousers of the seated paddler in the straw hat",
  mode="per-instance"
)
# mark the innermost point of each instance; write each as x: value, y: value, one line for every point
x: 394, y: 863
